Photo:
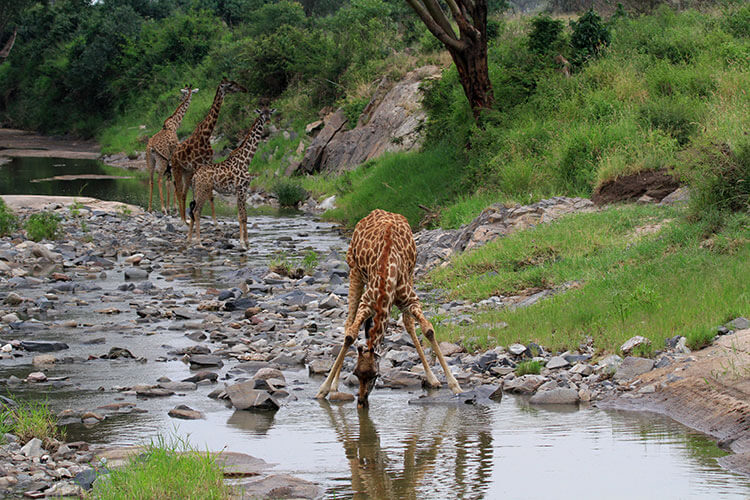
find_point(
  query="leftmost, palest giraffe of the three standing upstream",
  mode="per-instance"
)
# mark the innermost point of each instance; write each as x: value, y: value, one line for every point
x: 161, y: 146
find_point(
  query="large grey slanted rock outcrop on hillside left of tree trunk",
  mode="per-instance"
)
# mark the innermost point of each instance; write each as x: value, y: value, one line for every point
x: 392, y: 121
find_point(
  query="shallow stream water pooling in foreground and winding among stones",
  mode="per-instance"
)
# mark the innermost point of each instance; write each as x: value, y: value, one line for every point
x: 395, y: 450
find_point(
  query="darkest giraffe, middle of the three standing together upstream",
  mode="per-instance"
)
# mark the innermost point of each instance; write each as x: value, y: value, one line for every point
x: 196, y: 149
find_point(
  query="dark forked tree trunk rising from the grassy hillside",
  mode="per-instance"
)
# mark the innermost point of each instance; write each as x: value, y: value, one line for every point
x: 468, y: 48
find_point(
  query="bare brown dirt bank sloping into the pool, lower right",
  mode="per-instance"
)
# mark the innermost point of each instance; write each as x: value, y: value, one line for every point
x: 708, y: 391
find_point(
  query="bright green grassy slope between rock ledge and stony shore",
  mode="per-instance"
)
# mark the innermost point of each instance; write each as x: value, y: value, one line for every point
x: 657, y: 284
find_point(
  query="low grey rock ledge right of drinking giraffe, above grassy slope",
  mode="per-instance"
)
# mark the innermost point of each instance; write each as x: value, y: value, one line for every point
x: 436, y: 246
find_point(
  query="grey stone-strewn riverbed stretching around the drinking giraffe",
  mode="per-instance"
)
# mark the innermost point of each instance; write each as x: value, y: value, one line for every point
x: 120, y: 311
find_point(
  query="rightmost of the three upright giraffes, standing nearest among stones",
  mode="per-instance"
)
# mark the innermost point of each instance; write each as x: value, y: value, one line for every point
x: 228, y: 177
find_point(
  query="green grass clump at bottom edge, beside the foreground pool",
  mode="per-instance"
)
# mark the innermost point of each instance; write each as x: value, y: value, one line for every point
x: 166, y: 470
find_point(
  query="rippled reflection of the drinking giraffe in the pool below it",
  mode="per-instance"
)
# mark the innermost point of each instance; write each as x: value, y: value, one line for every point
x: 443, y: 457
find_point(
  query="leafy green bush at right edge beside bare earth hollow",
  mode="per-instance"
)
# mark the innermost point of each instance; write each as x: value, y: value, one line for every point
x: 719, y: 177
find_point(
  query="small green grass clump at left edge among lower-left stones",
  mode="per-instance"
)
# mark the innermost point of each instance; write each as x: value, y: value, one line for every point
x: 29, y: 420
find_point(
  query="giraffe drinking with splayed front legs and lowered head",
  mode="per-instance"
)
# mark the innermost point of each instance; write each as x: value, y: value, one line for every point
x: 381, y: 256
